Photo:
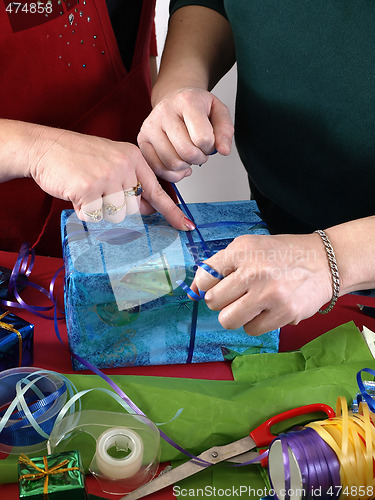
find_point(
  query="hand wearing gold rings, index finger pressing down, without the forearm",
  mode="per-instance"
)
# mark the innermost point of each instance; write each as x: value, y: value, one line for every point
x: 93, y: 173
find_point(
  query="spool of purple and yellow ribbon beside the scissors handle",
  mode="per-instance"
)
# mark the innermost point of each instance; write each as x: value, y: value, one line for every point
x: 327, y: 458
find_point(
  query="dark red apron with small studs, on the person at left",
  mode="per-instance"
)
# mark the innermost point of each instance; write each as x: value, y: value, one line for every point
x: 64, y: 69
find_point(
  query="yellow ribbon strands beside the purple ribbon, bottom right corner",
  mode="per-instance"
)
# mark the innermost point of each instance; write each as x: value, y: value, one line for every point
x: 352, y: 437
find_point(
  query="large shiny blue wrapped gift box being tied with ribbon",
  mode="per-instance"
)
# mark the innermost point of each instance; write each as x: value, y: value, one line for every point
x: 122, y: 304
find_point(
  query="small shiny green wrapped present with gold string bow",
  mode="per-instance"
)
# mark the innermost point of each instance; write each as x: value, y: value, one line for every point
x: 53, y: 477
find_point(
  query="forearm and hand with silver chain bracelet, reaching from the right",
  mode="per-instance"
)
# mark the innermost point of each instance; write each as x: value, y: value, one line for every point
x: 271, y: 281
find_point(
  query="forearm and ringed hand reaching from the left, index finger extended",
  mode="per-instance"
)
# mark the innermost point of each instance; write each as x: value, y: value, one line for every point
x: 83, y: 169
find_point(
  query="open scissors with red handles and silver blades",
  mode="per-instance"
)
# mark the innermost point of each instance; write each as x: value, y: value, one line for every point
x: 239, y: 451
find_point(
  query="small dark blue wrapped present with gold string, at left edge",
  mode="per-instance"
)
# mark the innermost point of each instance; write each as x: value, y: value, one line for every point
x: 16, y: 341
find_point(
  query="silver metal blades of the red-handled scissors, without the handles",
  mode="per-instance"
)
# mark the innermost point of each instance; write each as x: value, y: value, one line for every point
x: 212, y: 456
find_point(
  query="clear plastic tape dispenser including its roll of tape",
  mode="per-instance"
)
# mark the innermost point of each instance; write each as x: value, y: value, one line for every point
x: 122, y: 451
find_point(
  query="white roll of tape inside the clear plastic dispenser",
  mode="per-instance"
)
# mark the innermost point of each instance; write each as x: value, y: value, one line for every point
x: 119, y: 468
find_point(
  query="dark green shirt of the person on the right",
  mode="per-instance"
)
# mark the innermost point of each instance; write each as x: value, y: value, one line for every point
x: 305, y: 108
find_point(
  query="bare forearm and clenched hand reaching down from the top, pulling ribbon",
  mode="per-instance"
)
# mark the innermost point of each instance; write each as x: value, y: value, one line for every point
x: 188, y: 122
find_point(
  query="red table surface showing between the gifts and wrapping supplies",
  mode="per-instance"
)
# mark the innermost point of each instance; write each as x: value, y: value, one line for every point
x: 49, y: 354
